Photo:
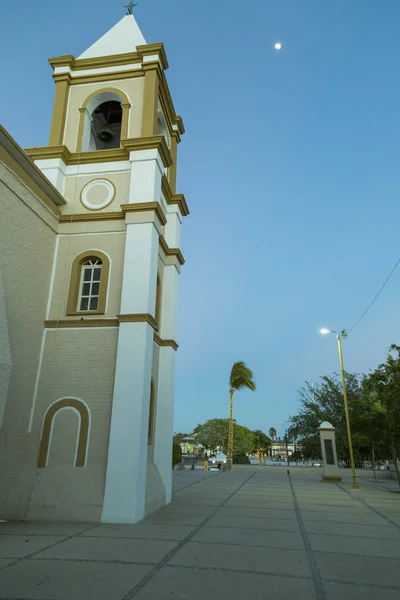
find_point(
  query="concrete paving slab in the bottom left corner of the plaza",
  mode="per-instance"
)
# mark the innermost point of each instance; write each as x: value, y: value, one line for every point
x: 53, y: 580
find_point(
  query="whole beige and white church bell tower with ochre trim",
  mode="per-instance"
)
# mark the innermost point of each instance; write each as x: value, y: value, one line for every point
x: 106, y: 376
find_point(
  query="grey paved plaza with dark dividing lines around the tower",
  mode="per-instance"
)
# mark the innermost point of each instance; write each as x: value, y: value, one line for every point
x: 254, y: 533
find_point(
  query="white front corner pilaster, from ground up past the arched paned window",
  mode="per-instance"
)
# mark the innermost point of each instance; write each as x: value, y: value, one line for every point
x: 125, y: 487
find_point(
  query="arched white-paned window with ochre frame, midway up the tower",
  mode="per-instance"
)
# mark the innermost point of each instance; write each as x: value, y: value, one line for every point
x: 88, y: 285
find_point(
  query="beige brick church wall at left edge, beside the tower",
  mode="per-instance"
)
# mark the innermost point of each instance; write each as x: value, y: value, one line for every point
x: 27, y: 240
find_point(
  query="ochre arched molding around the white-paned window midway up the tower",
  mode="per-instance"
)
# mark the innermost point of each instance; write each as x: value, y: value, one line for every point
x: 75, y: 281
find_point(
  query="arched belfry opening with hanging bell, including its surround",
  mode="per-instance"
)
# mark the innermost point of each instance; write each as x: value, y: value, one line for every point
x: 103, y: 121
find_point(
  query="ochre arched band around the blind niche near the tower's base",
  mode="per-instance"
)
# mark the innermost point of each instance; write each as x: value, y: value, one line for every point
x: 83, y: 436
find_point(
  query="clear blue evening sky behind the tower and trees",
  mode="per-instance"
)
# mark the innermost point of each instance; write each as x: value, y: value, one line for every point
x: 290, y: 169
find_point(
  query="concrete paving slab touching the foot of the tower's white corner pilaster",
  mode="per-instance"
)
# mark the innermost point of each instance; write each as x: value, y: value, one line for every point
x: 142, y: 530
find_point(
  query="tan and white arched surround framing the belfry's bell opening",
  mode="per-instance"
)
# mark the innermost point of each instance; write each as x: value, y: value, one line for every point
x: 92, y: 102
